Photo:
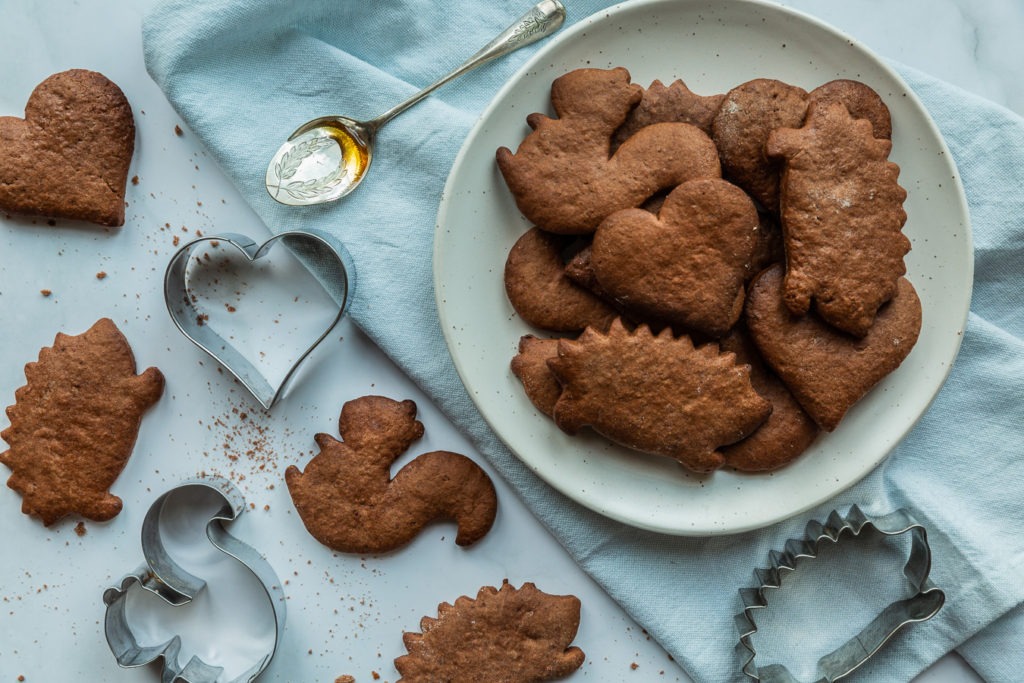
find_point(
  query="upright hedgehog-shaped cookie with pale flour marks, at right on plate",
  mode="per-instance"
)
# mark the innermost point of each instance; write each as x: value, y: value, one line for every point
x: 842, y: 214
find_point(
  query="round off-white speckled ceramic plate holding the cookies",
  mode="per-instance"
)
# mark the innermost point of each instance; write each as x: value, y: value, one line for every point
x: 713, y: 46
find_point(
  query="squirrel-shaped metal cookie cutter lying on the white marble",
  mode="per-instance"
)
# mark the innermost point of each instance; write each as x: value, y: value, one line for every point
x: 162, y: 576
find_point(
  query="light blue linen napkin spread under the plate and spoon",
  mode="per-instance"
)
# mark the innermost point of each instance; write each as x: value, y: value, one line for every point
x: 244, y: 73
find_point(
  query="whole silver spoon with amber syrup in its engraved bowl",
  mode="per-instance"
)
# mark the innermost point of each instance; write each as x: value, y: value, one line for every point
x: 326, y: 159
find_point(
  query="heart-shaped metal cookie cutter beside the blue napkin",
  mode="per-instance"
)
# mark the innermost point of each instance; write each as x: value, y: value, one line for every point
x: 330, y: 264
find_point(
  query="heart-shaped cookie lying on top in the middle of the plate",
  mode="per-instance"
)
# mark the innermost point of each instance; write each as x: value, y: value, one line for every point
x: 686, y: 266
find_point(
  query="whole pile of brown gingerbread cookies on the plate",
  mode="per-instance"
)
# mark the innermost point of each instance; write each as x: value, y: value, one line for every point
x: 718, y: 279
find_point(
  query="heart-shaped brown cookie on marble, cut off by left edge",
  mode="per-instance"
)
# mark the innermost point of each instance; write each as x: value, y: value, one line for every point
x: 69, y: 157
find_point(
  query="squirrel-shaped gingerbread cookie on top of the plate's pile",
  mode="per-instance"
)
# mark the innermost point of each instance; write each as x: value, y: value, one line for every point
x: 564, y: 178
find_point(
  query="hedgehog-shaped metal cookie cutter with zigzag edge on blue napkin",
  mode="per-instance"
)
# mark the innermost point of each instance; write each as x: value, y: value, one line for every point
x: 925, y: 604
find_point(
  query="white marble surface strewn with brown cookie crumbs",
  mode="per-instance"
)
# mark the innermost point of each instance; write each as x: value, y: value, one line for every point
x: 347, y: 614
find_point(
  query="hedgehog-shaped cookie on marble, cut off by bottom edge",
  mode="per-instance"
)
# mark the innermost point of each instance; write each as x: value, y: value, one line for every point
x: 504, y: 635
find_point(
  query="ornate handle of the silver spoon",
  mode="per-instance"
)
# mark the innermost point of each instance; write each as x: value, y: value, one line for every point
x: 542, y: 21
